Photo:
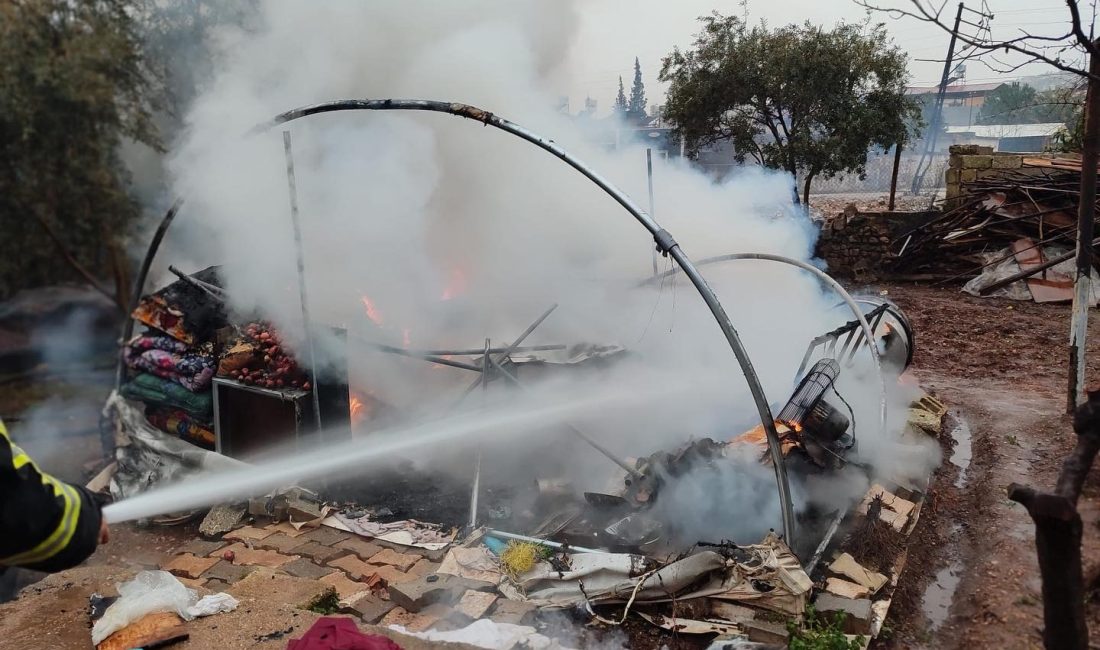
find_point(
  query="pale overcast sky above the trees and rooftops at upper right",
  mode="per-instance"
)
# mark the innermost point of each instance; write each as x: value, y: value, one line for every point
x: 613, y: 32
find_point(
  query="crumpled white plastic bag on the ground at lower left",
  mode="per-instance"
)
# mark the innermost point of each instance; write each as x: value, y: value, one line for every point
x: 148, y: 593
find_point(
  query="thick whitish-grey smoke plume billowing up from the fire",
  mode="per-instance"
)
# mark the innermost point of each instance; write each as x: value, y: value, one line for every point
x: 435, y: 232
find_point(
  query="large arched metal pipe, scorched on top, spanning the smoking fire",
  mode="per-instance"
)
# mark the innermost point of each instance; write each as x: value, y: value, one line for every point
x: 665, y: 244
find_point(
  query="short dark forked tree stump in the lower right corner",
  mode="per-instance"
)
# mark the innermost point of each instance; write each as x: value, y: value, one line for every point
x: 1059, y: 536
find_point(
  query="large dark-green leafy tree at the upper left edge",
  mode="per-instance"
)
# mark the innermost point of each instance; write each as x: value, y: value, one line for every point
x: 73, y: 84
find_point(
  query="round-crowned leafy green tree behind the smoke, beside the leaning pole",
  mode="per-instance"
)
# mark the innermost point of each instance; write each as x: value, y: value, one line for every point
x: 804, y: 100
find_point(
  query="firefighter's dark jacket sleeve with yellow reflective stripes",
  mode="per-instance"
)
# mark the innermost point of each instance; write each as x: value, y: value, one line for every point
x: 46, y: 524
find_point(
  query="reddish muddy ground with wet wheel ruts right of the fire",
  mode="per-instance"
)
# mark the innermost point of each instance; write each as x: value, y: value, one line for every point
x: 973, y: 577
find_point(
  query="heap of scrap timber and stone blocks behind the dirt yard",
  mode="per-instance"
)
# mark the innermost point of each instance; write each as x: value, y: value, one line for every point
x: 1007, y: 228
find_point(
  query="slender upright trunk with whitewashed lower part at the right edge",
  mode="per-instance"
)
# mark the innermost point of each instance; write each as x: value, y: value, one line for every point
x: 1086, y: 215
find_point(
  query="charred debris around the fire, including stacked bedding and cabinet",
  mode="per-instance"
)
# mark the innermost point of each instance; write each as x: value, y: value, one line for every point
x: 201, y: 379
